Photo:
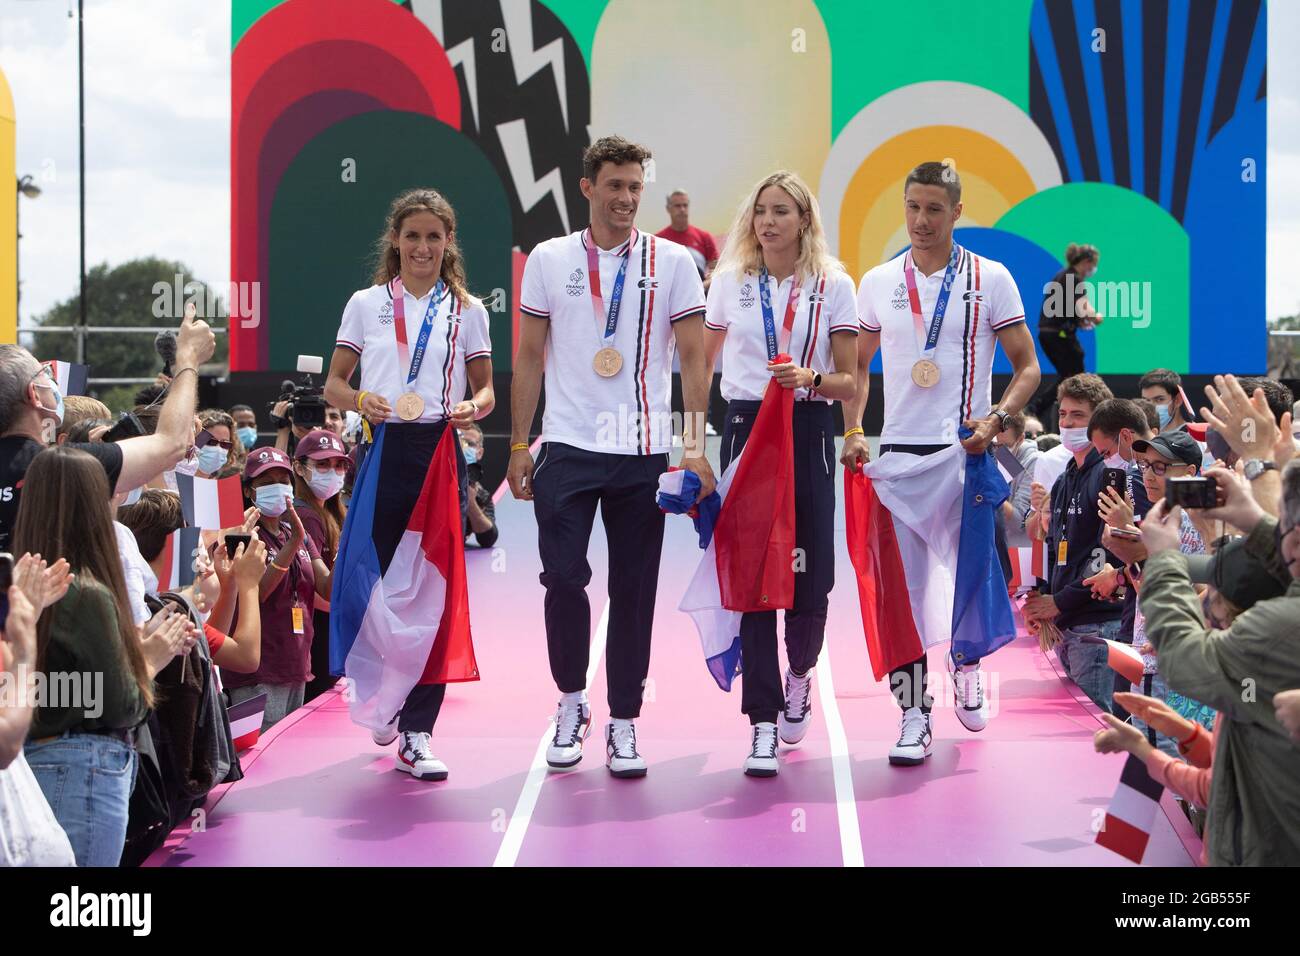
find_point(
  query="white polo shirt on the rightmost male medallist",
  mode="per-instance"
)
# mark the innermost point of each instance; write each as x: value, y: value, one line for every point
x: 983, y: 301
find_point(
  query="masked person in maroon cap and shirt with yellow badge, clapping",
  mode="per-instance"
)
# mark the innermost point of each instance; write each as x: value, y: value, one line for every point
x: 294, y: 581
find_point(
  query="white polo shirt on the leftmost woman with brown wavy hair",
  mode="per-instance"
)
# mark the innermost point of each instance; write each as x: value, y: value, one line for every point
x: 460, y: 336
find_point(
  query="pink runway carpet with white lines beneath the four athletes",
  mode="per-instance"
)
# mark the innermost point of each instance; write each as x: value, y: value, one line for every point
x: 1026, y: 791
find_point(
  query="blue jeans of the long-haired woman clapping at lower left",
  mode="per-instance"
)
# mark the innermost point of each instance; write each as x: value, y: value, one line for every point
x: 88, y: 781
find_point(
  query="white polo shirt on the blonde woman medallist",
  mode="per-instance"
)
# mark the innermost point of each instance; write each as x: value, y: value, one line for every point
x: 827, y: 305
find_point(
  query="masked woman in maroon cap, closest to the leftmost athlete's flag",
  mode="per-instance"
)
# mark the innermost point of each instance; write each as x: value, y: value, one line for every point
x: 320, y: 470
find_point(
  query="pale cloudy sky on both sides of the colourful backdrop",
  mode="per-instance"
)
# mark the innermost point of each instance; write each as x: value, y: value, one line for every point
x: 158, y: 135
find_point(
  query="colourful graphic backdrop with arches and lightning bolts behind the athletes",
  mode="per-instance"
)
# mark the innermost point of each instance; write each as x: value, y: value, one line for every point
x: 1136, y: 126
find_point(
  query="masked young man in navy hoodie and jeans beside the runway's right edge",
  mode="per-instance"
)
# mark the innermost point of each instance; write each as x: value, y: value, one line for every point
x: 1071, y: 524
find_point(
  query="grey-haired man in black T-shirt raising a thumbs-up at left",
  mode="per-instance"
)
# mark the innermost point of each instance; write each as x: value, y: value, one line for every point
x: 32, y: 409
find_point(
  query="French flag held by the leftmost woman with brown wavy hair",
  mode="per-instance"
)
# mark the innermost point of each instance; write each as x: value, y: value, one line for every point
x: 409, y: 625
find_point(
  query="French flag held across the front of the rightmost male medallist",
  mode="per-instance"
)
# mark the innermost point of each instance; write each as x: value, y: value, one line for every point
x: 922, y: 543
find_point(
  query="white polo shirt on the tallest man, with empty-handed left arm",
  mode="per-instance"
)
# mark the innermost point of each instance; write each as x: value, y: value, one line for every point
x: 631, y: 413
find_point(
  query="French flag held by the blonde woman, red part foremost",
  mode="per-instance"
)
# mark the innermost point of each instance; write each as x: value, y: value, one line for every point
x: 748, y: 563
